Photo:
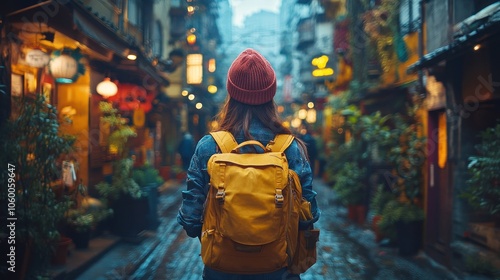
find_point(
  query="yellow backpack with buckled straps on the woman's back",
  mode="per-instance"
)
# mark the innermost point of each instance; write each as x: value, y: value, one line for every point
x: 254, y: 202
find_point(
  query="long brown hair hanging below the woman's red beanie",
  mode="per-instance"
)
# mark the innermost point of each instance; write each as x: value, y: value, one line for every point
x: 235, y: 117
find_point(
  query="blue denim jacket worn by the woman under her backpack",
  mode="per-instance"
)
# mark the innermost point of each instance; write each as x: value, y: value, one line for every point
x: 190, y: 213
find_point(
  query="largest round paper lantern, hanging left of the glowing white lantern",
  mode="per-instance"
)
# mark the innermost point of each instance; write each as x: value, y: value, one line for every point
x: 65, y: 66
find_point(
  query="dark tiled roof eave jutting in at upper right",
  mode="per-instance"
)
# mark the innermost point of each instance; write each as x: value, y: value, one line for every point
x: 487, y: 27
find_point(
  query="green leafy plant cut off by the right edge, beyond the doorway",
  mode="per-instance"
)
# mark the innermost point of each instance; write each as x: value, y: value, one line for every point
x: 483, y: 186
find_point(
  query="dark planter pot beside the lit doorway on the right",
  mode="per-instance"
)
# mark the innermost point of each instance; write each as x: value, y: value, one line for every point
x: 409, y: 237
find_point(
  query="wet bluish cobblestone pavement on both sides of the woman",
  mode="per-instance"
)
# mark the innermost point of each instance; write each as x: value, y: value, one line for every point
x: 345, y: 251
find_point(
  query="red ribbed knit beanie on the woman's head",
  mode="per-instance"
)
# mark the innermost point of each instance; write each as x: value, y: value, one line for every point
x: 251, y: 79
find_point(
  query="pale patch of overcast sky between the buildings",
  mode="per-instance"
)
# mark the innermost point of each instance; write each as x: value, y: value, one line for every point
x: 243, y: 8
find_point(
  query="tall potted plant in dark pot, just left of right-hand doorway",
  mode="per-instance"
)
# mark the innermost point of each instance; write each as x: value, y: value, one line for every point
x: 404, y: 212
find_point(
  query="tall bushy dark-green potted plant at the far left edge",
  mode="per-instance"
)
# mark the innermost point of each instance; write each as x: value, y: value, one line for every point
x: 32, y: 146
